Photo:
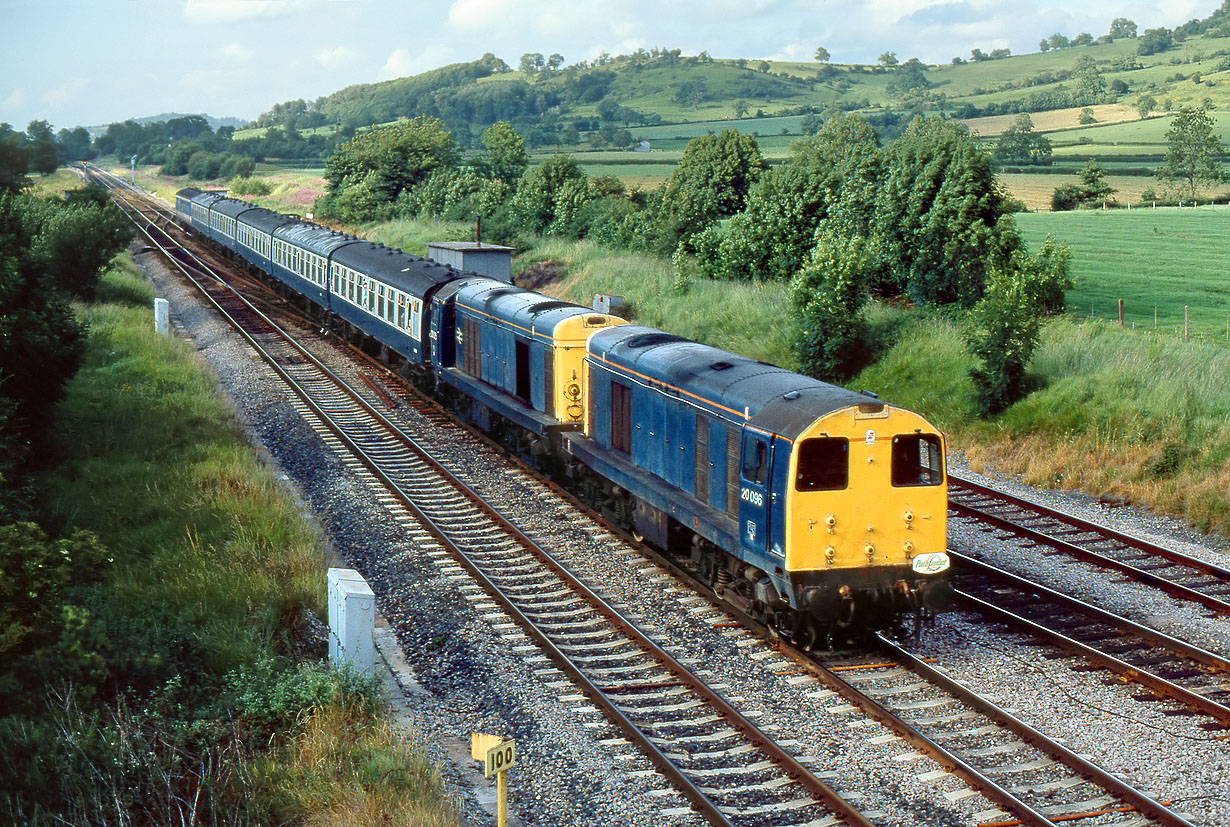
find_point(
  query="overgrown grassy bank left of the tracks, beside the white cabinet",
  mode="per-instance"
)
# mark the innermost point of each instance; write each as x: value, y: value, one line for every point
x: 213, y: 568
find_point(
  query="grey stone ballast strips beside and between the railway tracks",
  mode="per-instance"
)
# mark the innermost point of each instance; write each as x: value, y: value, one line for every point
x: 468, y: 671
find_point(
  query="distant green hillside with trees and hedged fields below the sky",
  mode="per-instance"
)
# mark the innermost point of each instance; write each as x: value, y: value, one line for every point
x: 665, y: 95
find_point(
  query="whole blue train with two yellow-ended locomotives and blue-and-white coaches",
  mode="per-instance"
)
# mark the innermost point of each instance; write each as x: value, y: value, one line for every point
x: 815, y: 509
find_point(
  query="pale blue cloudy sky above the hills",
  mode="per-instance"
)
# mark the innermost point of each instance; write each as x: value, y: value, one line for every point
x: 95, y: 62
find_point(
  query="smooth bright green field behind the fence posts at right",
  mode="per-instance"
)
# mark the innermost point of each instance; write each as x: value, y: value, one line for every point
x: 1156, y: 260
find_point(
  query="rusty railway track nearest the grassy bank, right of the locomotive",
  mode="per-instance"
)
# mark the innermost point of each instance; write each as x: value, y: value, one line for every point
x: 1180, y: 575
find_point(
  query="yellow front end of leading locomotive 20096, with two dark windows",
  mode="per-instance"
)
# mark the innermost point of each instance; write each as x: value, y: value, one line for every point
x: 867, y: 515
